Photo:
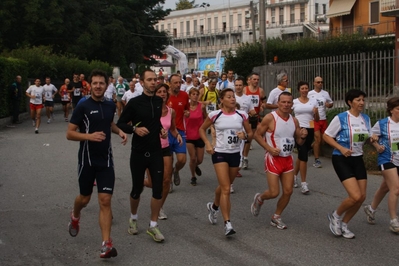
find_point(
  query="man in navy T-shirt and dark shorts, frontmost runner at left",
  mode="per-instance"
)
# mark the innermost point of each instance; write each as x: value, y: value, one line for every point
x: 92, y: 124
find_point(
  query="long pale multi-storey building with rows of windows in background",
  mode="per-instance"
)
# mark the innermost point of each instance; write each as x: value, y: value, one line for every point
x: 200, y: 32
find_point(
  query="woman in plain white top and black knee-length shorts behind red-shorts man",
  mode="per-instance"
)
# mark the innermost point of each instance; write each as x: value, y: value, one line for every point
x: 306, y: 112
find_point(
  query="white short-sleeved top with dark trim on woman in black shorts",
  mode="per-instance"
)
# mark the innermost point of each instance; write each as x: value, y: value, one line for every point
x: 226, y: 127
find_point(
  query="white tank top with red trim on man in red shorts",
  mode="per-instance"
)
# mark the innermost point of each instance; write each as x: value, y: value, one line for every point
x: 283, y: 135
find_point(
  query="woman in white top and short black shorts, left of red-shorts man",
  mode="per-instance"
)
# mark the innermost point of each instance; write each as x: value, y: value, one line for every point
x: 229, y: 126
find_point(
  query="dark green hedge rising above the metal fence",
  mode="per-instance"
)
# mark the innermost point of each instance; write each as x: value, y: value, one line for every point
x: 251, y: 55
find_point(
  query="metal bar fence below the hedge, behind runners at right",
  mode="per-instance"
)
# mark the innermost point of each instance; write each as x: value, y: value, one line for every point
x: 372, y: 73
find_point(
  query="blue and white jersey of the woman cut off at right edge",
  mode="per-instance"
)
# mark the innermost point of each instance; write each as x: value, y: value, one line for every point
x: 388, y: 132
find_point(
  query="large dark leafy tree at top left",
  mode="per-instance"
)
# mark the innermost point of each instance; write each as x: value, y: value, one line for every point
x: 118, y: 32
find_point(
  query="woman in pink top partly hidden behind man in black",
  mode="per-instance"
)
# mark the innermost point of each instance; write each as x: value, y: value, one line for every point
x: 168, y: 123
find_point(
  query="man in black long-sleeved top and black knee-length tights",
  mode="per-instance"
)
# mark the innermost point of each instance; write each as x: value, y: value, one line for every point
x: 144, y: 112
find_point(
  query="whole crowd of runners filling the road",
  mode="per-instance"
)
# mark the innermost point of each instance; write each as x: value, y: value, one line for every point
x: 170, y: 117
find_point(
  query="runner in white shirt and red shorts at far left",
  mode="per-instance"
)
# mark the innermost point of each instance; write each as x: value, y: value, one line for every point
x: 35, y: 93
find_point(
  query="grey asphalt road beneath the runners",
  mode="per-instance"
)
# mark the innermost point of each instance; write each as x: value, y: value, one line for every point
x: 38, y: 183
